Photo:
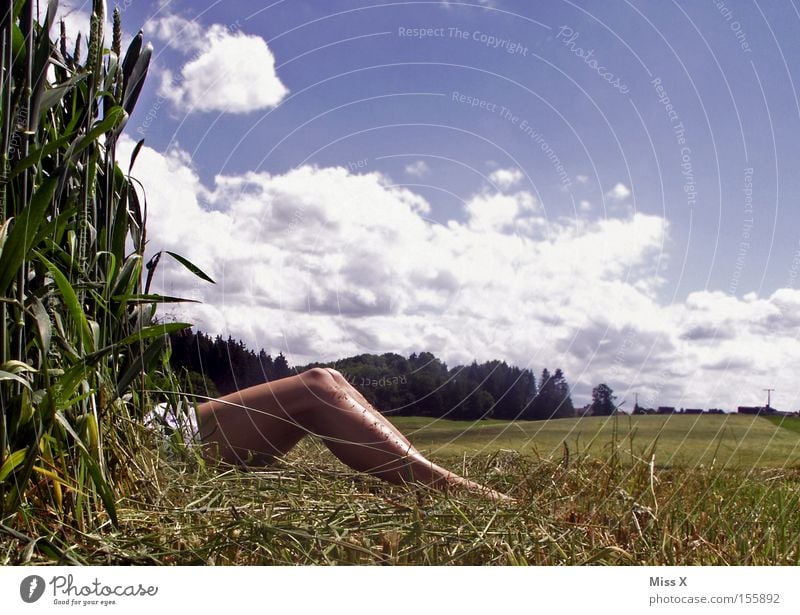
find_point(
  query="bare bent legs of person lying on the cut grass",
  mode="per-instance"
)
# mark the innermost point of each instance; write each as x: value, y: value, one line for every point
x: 253, y: 426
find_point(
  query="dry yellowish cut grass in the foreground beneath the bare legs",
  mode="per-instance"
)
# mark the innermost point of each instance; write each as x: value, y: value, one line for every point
x: 312, y: 510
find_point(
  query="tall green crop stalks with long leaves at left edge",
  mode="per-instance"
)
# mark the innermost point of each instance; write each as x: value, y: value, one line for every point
x: 80, y: 342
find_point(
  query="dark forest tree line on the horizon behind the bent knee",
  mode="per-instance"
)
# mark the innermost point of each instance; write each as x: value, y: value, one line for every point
x: 420, y: 385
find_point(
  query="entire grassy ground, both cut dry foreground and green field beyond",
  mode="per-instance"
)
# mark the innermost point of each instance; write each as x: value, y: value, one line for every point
x: 596, y: 505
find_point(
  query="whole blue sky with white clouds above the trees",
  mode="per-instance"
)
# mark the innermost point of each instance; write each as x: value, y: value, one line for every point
x: 610, y: 188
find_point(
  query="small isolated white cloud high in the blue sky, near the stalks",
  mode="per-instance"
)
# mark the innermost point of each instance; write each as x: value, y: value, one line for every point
x: 228, y: 70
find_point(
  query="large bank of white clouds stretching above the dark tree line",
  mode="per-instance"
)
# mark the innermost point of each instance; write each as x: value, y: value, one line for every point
x: 321, y: 264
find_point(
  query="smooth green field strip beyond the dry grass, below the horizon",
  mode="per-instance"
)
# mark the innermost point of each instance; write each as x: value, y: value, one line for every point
x: 739, y: 441
